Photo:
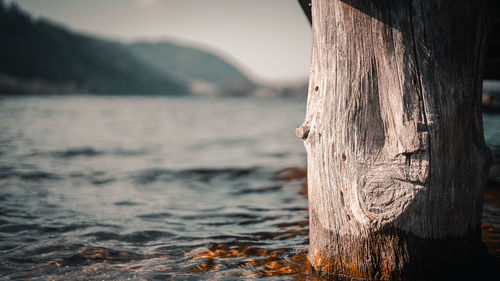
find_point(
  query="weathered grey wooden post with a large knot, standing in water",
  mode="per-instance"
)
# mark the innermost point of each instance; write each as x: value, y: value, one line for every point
x: 394, y: 136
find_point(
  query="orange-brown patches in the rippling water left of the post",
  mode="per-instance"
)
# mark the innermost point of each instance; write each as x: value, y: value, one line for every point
x: 255, y: 261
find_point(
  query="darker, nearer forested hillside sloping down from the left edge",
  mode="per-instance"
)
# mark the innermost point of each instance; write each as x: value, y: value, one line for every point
x: 36, y: 55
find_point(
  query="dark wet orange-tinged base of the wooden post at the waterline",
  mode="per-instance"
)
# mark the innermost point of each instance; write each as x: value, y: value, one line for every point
x: 393, y: 255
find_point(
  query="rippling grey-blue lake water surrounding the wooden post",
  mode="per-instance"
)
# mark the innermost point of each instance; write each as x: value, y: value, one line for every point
x: 156, y: 188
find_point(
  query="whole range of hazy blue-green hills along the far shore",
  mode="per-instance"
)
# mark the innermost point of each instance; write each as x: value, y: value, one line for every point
x: 38, y: 56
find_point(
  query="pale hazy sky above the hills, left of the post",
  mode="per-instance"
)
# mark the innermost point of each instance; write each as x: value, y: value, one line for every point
x: 269, y: 40
